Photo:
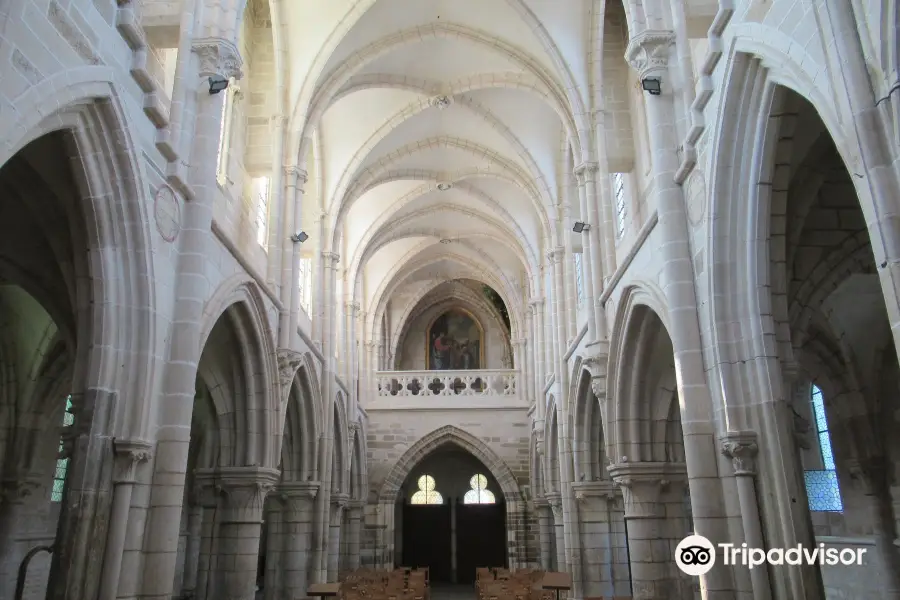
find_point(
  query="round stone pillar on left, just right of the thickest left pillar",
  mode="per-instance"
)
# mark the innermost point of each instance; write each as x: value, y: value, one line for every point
x: 298, y: 527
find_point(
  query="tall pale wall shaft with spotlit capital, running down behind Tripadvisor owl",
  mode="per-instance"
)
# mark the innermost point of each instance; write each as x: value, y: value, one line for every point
x: 648, y: 53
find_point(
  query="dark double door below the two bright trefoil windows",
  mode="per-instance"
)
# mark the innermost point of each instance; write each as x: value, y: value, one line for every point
x: 480, y: 539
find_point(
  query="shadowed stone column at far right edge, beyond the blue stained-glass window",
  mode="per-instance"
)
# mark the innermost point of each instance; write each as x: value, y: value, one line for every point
x: 871, y: 476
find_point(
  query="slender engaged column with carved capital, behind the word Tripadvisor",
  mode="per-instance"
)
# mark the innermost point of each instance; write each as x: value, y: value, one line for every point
x: 741, y: 448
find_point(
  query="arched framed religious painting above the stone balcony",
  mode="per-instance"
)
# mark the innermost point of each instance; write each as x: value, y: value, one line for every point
x: 455, y: 342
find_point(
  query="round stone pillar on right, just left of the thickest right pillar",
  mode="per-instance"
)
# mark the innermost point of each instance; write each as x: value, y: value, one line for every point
x: 596, y: 531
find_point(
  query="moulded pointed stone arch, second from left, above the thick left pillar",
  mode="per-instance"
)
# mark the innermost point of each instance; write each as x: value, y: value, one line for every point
x: 236, y: 311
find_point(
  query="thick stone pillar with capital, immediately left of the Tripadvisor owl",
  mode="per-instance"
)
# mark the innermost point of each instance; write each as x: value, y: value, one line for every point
x: 653, y: 494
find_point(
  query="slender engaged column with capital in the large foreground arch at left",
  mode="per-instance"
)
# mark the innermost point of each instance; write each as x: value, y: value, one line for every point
x: 128, y: 454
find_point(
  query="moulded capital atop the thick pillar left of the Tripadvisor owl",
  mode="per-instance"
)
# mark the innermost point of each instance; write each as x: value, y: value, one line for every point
x: 643, y: 485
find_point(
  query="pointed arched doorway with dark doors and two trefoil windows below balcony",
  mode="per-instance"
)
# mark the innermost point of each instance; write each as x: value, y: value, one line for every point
x: 453, y: 516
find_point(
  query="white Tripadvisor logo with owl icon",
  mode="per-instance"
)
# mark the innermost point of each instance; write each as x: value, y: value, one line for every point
x: 695, y: 555
